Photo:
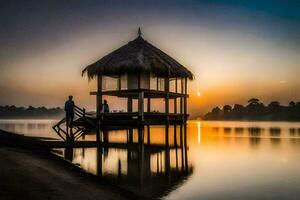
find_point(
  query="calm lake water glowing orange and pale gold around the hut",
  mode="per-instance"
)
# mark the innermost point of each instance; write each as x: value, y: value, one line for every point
x: 225, y: 160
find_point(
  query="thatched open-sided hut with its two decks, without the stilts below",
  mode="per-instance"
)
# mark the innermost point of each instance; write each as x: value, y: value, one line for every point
x: 138, y: 71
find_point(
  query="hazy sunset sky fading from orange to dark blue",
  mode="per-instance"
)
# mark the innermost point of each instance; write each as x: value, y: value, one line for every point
x: 236, y: 49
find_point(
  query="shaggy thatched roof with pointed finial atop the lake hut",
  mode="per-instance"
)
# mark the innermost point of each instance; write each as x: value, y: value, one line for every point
x: 137, y: 56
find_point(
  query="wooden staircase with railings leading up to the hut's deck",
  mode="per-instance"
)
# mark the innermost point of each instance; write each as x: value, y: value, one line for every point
x: 82, y: 123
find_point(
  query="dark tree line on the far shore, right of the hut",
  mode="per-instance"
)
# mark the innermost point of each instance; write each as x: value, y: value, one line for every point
x: 256, y: 110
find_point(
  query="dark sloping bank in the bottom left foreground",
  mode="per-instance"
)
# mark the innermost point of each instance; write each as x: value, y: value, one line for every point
x: 33, y: 173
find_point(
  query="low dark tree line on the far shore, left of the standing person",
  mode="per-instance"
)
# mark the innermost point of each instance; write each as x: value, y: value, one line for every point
x: 10, y: 112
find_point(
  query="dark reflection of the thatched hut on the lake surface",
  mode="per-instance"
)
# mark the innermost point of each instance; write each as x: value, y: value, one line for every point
x: 153, y: 170
